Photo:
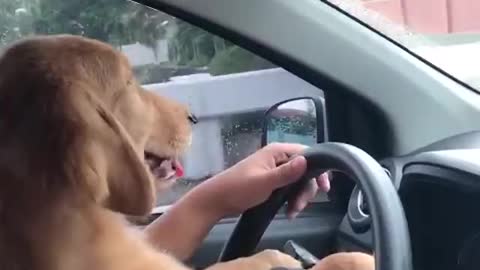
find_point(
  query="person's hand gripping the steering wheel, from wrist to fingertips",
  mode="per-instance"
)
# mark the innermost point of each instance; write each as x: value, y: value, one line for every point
x: 252, y: 180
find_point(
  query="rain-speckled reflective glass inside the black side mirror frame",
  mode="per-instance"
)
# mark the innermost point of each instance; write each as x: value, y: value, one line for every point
x: 293, y: 121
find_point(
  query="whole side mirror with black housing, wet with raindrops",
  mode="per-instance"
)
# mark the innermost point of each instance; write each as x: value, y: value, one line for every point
x: 297, y: 120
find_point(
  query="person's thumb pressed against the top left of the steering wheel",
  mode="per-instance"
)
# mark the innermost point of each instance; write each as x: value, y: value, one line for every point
x: 287, y: 173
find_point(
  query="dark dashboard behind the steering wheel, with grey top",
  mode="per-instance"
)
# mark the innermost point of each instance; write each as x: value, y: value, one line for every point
x: 439, y: 186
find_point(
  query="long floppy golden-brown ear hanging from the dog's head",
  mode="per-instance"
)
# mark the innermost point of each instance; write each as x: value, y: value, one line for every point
x: 118, y: 177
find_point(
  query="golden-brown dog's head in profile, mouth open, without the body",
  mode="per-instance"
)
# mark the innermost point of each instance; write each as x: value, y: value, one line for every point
x: 73, y: 118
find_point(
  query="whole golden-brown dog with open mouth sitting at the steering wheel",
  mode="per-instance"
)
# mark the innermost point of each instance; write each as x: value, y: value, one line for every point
x: 82, y: 145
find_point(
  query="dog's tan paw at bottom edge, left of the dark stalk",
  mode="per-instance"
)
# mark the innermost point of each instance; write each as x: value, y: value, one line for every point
x: 273, y: 258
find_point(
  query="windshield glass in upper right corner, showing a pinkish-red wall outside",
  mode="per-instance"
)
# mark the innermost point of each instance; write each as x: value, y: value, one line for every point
x: 445, y: 33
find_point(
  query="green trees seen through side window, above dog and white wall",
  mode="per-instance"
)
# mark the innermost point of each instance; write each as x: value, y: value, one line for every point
x: 121, y: 22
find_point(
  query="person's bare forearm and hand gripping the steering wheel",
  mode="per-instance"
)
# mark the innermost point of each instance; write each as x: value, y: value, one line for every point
x: 250, y: 182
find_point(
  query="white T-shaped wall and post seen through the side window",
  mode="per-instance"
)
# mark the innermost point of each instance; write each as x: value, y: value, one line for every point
x: 211, y: 97
